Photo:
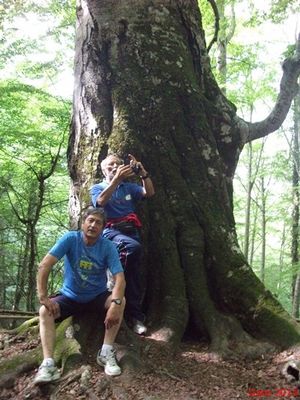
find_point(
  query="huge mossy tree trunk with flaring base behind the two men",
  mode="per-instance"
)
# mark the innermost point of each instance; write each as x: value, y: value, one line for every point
x: 143, y: 84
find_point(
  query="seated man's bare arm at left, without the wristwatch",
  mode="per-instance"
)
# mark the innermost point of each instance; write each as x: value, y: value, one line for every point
x: 42, y: 281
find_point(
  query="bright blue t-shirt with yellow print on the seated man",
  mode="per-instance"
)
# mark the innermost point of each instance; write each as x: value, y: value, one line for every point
x: 85, y: 266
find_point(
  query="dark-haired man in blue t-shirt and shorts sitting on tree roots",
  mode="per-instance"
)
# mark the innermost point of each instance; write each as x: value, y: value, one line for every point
x: 88, y: 255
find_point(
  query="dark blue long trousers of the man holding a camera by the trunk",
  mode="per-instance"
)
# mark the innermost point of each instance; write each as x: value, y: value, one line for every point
x: 130, y: 251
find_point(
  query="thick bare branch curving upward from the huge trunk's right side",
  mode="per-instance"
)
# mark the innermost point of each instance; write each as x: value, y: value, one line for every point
x: 288, y: 90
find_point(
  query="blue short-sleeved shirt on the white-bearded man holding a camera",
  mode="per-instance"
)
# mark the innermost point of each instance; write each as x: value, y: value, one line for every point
x: 123, y: 200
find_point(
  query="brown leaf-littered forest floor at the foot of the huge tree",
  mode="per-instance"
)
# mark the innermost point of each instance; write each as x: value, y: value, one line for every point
x: 190, y: 374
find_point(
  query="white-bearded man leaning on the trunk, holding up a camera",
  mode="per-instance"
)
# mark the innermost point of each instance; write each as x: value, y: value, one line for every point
x: 119, y: 198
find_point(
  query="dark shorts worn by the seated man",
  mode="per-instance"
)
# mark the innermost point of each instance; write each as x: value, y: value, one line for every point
x: 70, y: 307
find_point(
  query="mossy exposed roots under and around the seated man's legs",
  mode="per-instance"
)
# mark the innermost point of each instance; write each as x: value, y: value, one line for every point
x: 75, y: 340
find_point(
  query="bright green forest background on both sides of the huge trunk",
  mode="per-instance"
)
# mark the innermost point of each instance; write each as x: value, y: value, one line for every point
x: 36, y: 62
